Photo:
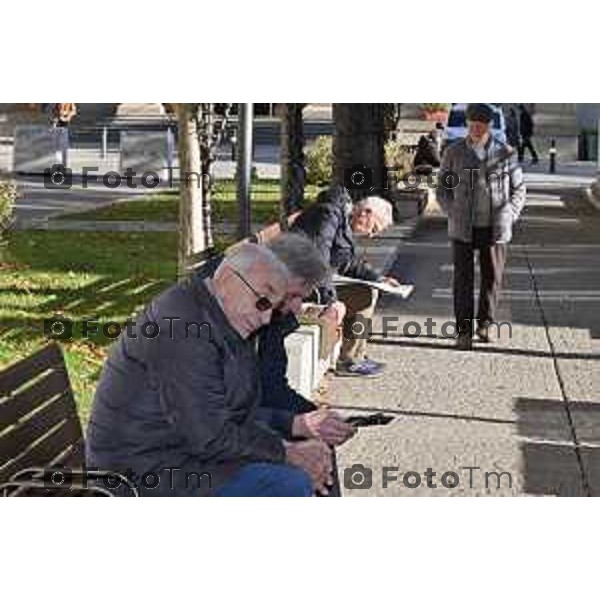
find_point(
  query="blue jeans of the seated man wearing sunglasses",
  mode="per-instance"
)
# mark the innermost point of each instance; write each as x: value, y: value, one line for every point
x: 268, y: 480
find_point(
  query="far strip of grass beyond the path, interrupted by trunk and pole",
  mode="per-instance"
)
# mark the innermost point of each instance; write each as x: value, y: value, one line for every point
x: 164, y: 206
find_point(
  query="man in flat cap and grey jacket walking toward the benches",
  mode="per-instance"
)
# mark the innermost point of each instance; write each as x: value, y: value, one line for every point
x: 481, y: 190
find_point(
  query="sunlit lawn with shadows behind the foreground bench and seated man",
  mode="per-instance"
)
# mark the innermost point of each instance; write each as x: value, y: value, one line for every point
x: 109, y: 276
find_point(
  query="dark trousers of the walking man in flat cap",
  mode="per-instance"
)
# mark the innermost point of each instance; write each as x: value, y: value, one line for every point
x: 492, y: 258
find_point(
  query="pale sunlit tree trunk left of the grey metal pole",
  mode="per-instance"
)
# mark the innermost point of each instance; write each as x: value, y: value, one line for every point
x: 191, y: 234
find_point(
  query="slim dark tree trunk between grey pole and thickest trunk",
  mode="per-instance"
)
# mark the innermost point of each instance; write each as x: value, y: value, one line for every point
x: 293, y: 174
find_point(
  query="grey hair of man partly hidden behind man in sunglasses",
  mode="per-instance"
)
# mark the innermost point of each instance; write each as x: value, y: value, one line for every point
x: 302, y: 258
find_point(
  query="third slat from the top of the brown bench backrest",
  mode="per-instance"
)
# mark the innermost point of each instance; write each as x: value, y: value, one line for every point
x: 15, y: 441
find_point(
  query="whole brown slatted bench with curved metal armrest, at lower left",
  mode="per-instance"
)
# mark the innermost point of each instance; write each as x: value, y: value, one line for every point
x: 41, y: 440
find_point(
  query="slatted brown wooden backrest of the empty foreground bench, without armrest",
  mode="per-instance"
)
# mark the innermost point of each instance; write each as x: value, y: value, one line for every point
x: 39, y: 425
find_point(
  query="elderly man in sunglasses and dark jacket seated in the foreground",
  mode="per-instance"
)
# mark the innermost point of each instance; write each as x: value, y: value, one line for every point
x: 177, y: 405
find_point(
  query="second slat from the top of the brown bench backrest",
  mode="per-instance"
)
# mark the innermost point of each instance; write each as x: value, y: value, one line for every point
x: 14, y: 408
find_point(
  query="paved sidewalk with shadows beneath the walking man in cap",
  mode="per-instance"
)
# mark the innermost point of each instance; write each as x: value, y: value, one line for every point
x: 528, y: 406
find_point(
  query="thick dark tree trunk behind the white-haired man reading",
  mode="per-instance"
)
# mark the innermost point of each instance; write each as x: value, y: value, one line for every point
x: 359, y: 140
